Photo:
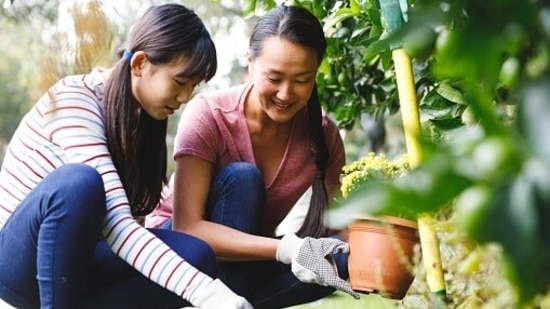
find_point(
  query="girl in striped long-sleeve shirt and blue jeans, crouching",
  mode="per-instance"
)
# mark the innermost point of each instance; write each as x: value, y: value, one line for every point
x: 86, y: 161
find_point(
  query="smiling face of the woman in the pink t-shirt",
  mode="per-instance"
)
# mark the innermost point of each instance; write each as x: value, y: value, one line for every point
x: 283, y: 75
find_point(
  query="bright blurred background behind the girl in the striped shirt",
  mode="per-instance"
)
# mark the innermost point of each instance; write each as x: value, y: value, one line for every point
x: 44, y: 40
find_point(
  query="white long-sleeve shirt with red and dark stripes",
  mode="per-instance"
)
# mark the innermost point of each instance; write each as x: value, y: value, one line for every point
x: 67, y: 126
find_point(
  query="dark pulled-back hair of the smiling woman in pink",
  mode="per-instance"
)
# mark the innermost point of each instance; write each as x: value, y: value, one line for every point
x: 299, y: 26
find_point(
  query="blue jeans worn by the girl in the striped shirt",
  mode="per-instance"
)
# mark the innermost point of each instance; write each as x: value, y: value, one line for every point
x: 52, y: 254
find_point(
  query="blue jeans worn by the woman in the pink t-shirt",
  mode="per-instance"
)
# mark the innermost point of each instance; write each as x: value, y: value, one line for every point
x: 237, y: 200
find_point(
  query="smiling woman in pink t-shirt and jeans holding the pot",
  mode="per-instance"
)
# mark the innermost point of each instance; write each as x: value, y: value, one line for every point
x: 245, y: 155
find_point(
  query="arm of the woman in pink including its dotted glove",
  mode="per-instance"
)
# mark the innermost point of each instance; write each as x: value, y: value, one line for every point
x: 307, y: 256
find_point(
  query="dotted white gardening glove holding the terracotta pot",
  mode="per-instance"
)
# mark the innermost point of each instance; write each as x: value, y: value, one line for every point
x: 311, y: 260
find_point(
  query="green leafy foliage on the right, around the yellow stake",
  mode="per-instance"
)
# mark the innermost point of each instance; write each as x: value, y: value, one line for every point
x: 482, y: 75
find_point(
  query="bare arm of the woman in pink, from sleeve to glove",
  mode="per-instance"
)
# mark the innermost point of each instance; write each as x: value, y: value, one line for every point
x: 191, y: 186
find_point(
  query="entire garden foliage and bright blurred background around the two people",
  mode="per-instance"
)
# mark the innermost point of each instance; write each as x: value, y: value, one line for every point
x: 482, y: 74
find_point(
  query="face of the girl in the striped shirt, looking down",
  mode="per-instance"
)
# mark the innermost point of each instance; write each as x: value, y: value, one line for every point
x: 160, y: 89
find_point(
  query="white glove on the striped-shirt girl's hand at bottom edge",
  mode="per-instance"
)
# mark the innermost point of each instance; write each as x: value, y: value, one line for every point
x: 217, y: 295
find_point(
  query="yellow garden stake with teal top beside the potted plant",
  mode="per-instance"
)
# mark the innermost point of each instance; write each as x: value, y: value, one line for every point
x: 391, y: 11
